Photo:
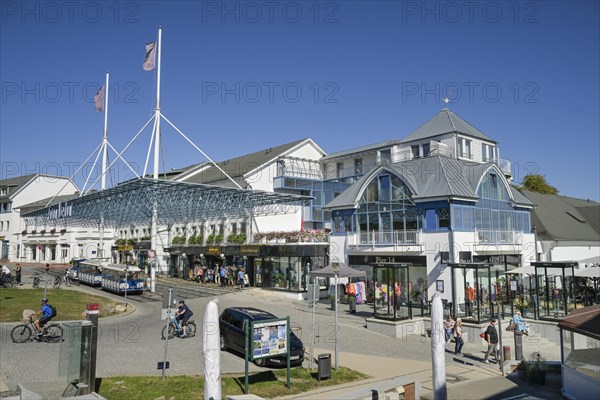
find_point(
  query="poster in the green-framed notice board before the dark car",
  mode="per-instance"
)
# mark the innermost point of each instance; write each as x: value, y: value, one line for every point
x: 269, y: 338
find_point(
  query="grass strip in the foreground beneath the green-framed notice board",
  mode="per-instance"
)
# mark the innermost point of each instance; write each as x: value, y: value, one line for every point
x: 267, y: 384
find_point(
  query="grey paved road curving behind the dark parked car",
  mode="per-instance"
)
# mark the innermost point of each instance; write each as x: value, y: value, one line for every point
x: 131, y: 344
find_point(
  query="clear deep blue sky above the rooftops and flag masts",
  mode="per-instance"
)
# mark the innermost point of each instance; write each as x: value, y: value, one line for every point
x: 239, y: 77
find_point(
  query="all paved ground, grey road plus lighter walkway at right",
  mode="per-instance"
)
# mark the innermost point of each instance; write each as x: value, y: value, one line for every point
x: 131, y: 344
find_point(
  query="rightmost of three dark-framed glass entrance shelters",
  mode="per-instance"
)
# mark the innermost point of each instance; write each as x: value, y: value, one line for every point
x: 554, y: 295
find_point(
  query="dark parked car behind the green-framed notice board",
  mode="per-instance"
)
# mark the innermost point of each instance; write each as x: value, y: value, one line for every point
x: 232, y: 335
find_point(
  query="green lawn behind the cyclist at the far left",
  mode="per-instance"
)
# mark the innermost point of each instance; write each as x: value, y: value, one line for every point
x: 70, y: 304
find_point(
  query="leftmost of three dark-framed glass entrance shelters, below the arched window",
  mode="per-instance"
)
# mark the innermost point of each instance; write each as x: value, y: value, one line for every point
x: 392, y: 286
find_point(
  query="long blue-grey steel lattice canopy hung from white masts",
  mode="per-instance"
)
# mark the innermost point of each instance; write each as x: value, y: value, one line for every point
x: 131, y: 203
